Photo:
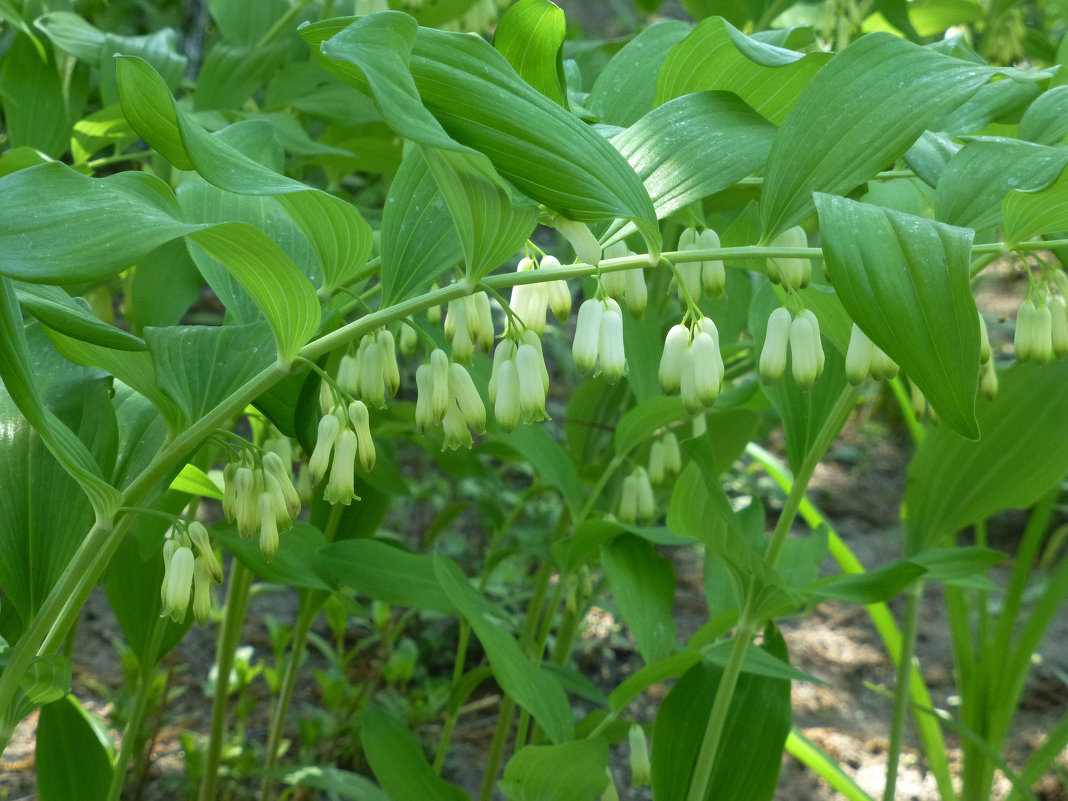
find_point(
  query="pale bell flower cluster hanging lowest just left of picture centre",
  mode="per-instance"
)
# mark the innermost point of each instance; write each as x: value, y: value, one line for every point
x: 447, y: 397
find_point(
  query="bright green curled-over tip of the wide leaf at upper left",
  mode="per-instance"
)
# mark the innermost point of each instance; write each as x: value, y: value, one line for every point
x: 279, y: 289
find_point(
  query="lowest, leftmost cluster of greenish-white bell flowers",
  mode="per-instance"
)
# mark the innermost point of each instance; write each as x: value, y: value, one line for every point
x: 190, y: 566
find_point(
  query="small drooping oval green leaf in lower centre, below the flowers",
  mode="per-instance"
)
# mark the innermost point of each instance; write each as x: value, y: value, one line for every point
x: 643, y: 588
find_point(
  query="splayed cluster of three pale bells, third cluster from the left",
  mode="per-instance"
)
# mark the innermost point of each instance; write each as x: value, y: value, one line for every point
x: 345, y: 434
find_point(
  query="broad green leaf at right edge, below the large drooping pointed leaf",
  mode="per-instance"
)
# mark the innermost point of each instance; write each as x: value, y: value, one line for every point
x: 954, y: 482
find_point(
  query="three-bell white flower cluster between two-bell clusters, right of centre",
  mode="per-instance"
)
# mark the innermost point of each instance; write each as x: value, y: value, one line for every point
x: 692, y: 365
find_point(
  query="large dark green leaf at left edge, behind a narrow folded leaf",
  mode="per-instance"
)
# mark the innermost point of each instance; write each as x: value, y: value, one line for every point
x: 45, y: 516
